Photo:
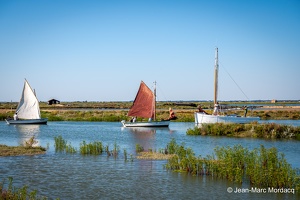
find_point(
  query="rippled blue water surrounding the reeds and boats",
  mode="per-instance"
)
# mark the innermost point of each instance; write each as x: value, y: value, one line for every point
x: 65, y: 176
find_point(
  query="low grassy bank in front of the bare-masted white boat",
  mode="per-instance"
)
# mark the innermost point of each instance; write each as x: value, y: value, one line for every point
x: 272, y: 130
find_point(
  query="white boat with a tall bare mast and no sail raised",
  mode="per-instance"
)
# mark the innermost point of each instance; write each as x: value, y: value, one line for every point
x: 216, y: 117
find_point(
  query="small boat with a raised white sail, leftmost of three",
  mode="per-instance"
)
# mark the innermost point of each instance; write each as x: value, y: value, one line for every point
x: 28, y: 110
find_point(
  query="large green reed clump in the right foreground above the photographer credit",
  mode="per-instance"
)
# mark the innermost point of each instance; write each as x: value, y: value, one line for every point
x: 261, y: 167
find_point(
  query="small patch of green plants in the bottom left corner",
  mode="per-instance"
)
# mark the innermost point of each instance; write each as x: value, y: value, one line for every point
x: 13, y: 193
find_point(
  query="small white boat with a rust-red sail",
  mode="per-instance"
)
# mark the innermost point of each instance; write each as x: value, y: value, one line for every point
x: 144, y: 106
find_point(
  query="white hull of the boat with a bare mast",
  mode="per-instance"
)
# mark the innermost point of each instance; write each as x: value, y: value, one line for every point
x: 202, y: 118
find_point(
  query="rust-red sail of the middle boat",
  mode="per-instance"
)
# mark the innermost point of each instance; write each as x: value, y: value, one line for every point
x: 143, y: 105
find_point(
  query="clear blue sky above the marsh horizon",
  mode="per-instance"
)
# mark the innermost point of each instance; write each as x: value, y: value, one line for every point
x: 100, y: 50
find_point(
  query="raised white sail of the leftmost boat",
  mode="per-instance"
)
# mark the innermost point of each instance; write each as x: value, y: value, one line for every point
x: 28, y: 107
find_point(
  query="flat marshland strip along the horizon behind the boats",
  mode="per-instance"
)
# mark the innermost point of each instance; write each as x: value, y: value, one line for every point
x: 117, y: 111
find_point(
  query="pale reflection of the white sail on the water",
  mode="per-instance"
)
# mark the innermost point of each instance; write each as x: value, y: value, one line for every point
x: 26, y: 132
